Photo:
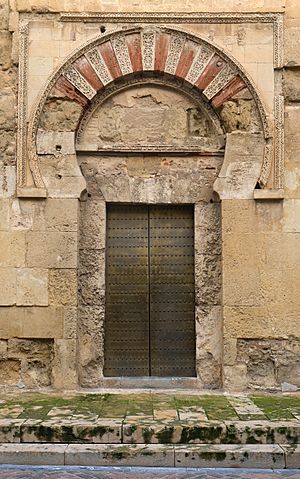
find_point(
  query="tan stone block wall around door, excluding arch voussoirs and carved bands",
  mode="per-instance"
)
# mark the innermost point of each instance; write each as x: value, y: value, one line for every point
x: 52, y: 249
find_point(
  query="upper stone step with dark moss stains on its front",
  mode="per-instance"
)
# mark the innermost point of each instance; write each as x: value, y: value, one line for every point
x: 142, y: 430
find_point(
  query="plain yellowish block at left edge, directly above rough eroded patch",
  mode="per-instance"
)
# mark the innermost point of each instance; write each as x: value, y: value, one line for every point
x: 31, y: 322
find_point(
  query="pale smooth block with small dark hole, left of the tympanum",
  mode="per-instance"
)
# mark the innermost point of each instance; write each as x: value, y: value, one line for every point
x: 55, y: 143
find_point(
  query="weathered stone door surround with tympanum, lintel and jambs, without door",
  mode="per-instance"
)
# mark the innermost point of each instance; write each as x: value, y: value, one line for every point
x: 150, y: 144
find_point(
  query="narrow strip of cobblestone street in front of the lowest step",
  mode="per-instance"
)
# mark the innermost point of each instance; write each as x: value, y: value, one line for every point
x: 26, y: 472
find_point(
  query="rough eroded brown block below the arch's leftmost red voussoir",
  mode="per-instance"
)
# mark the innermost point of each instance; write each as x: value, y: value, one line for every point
x: 60, y: 114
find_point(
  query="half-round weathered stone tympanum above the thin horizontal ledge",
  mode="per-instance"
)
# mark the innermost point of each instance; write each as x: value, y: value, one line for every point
x: 144, y: 116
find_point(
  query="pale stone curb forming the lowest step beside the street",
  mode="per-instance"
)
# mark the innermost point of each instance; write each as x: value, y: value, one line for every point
x: 265, y: 456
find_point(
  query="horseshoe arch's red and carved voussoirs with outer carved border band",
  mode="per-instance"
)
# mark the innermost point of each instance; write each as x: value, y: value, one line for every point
x: 103, y: 62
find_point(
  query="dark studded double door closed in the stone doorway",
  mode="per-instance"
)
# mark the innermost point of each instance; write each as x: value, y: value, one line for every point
x: 149, y: 320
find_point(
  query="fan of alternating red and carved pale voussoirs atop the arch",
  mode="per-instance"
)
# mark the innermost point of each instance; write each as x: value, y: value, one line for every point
x: 168, y: 52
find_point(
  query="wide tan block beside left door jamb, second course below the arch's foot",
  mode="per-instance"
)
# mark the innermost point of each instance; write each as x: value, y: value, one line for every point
x: 51, y: 250
